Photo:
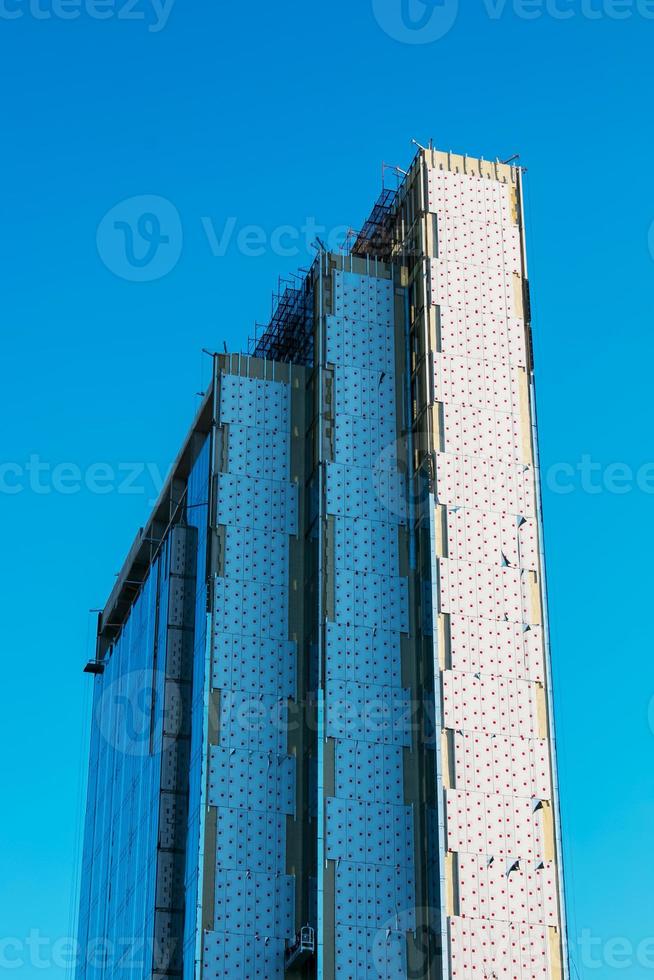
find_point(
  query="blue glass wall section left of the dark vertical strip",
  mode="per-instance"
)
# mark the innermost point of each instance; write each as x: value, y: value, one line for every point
x: 116, y: 928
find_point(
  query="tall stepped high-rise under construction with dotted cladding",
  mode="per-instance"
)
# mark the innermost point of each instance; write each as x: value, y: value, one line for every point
x: 323, y: 736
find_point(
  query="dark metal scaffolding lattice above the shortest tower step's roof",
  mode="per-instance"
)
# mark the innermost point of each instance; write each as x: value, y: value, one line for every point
x: 288, y: 337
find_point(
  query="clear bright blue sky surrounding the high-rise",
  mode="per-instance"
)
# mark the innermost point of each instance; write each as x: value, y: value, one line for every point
x: 270, y: 114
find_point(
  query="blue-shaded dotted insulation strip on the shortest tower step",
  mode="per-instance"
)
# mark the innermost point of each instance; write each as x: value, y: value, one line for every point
x: 251, y: 776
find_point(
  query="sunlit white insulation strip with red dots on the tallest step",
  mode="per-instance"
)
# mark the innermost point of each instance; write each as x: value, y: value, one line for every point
x: 497, y: 811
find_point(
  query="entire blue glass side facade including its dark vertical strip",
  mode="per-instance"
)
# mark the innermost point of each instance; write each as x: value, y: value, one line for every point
x: 140, y: 866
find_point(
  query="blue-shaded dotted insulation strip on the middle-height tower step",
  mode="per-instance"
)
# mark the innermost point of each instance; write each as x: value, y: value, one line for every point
x: 369, y: 830
